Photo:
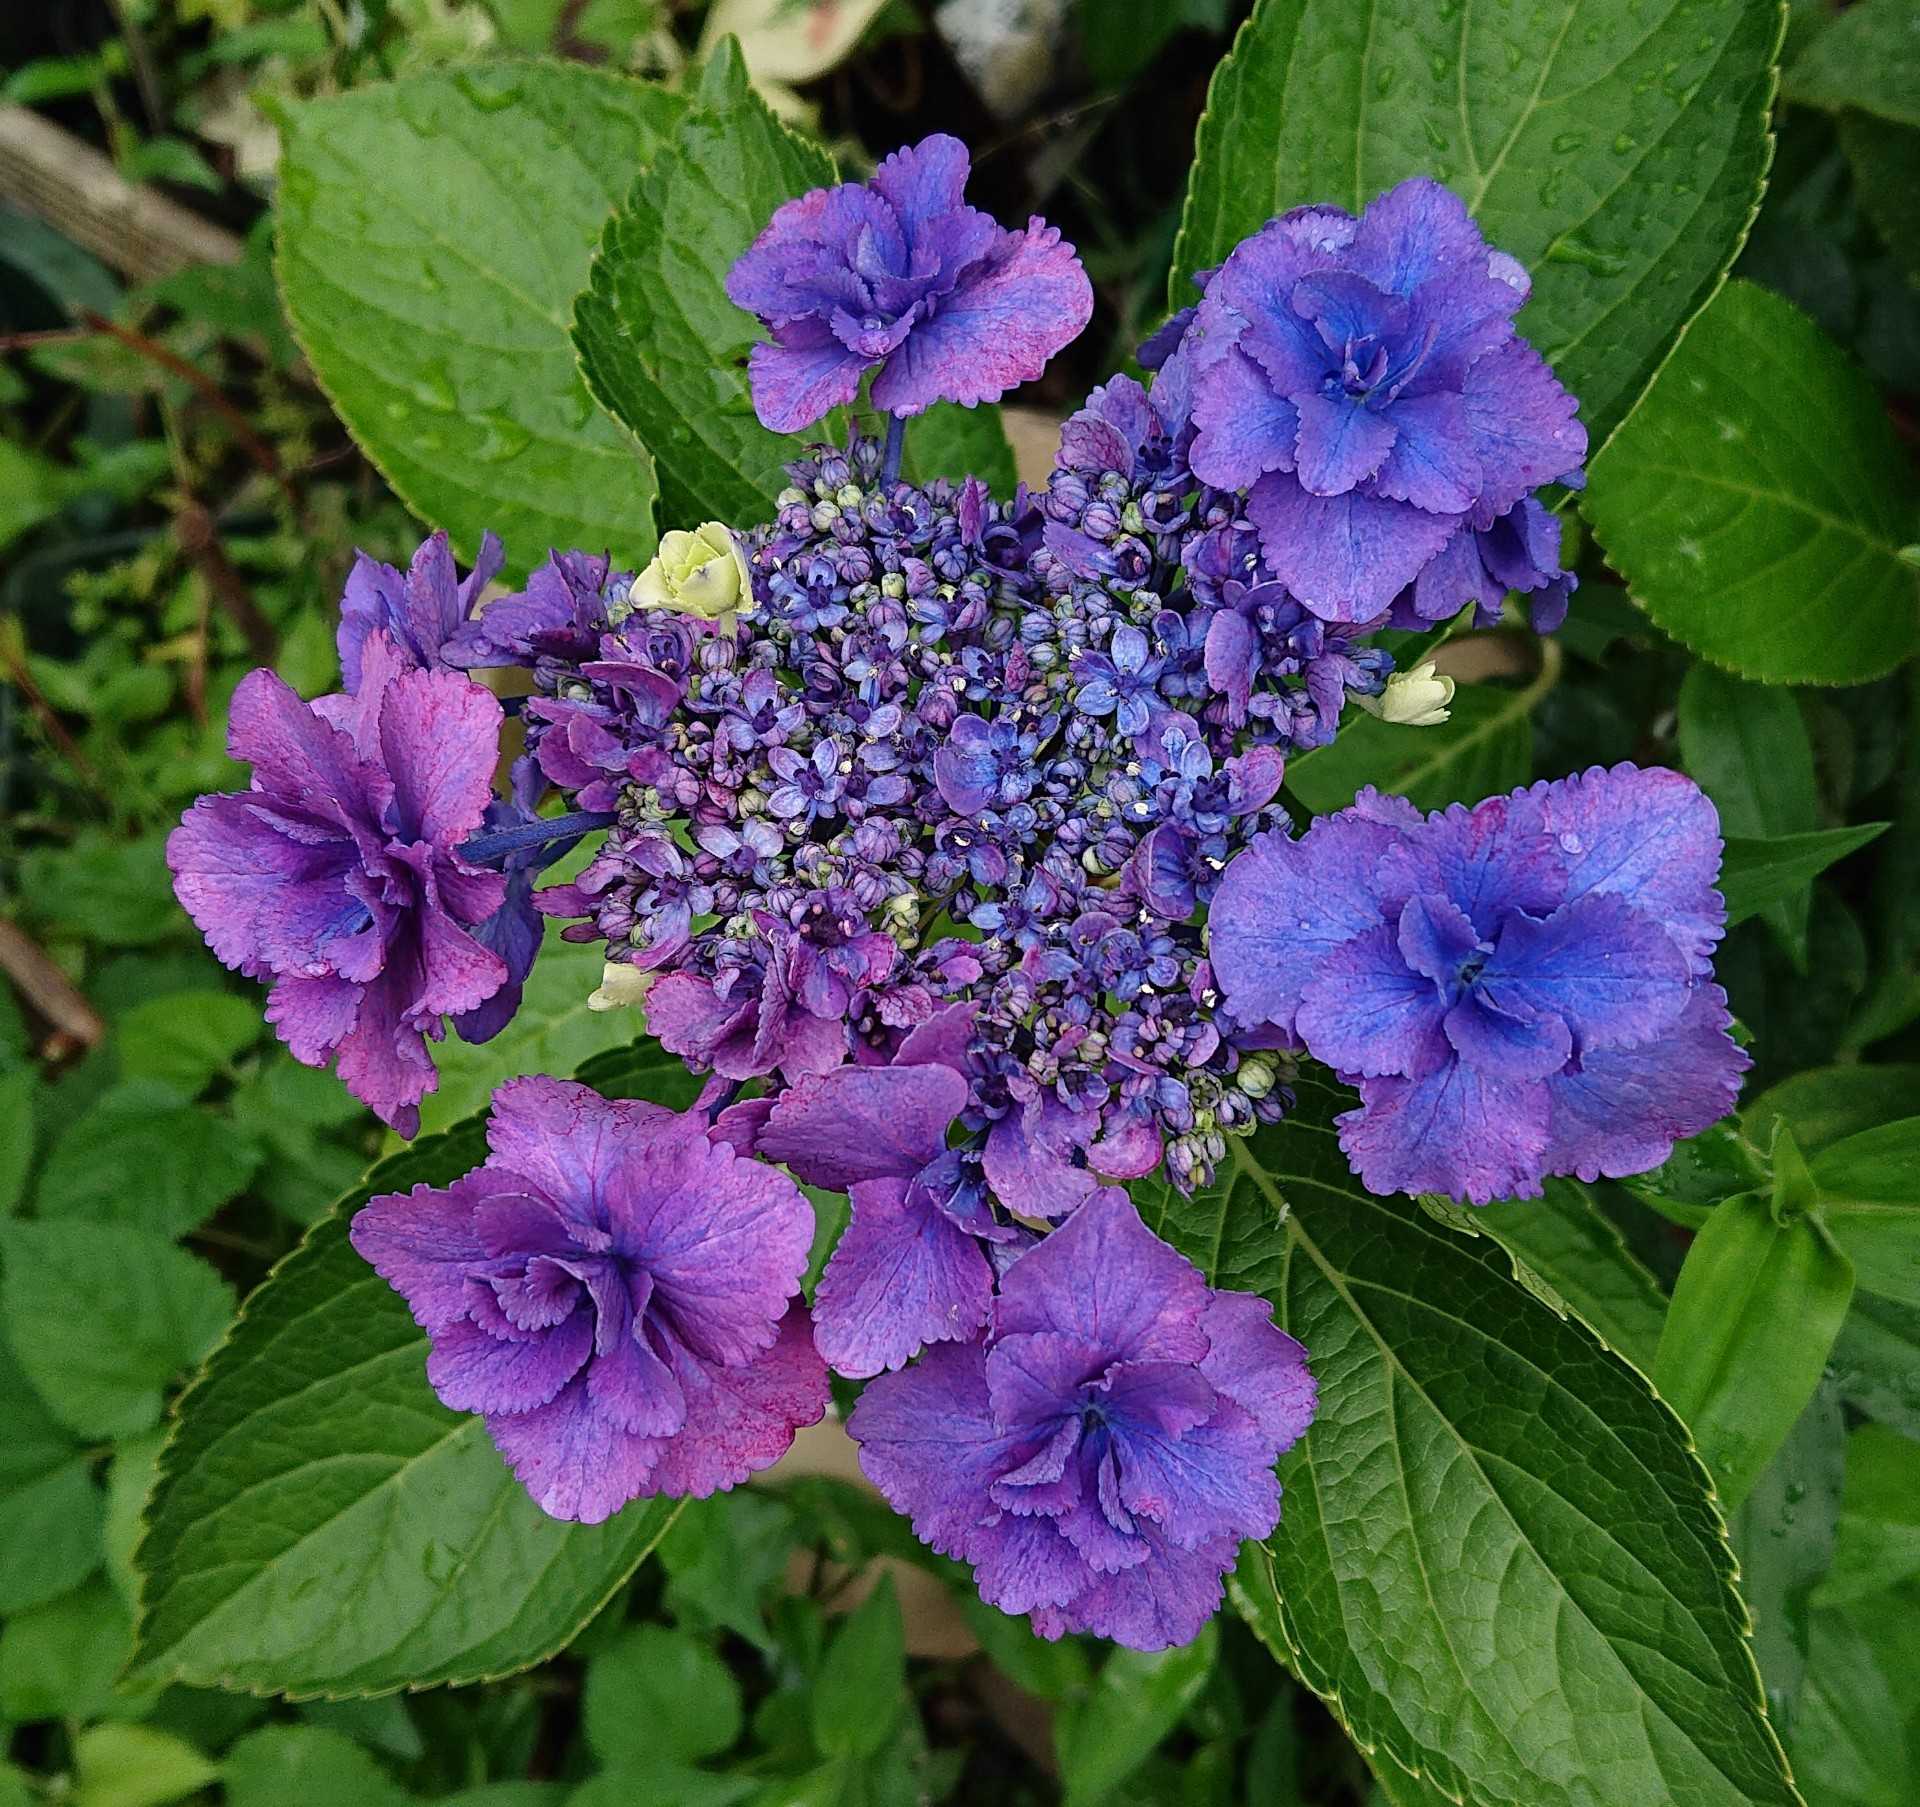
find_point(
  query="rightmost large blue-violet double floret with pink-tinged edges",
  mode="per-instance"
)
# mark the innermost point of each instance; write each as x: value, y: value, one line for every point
x: 1518, y: 990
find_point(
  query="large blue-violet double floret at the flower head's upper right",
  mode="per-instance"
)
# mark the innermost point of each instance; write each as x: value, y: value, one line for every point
x: 1362, y: 381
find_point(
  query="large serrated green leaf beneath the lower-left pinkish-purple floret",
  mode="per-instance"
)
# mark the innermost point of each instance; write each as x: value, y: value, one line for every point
x: 325, y: 1526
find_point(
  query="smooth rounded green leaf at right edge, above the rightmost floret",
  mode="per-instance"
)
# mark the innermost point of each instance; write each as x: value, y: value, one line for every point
x: 1758, y: 502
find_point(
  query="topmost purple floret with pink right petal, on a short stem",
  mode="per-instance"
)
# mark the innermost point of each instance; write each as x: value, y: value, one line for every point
x: 903, y: 279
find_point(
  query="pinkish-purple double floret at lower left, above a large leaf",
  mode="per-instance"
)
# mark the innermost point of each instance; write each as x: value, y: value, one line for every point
x: 613, y: 1289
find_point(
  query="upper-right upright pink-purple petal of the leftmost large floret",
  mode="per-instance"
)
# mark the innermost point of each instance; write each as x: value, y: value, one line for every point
x: 441, y: 744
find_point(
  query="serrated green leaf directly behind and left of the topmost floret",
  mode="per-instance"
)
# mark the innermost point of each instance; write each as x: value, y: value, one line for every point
x: 660, y: 341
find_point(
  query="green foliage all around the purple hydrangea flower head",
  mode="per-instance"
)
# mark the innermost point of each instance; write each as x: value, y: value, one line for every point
x: 1568, y: 1453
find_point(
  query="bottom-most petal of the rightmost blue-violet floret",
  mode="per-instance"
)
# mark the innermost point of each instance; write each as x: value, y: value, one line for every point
x: 1449, y: 1132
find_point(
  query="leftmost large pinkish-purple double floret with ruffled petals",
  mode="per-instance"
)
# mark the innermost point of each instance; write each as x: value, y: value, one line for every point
x: 339, y: 877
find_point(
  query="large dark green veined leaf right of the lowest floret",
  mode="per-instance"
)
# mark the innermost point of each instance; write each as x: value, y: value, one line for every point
x: 1499, y: 1554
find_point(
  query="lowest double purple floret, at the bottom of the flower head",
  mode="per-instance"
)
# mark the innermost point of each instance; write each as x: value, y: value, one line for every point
x: 1105, y: 1445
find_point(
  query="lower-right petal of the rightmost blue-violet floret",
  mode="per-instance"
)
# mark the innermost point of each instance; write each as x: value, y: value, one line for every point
x: 1621, y: 1111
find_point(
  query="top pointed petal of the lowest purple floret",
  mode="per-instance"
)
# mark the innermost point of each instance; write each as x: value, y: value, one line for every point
x: 1107, y: 1278
